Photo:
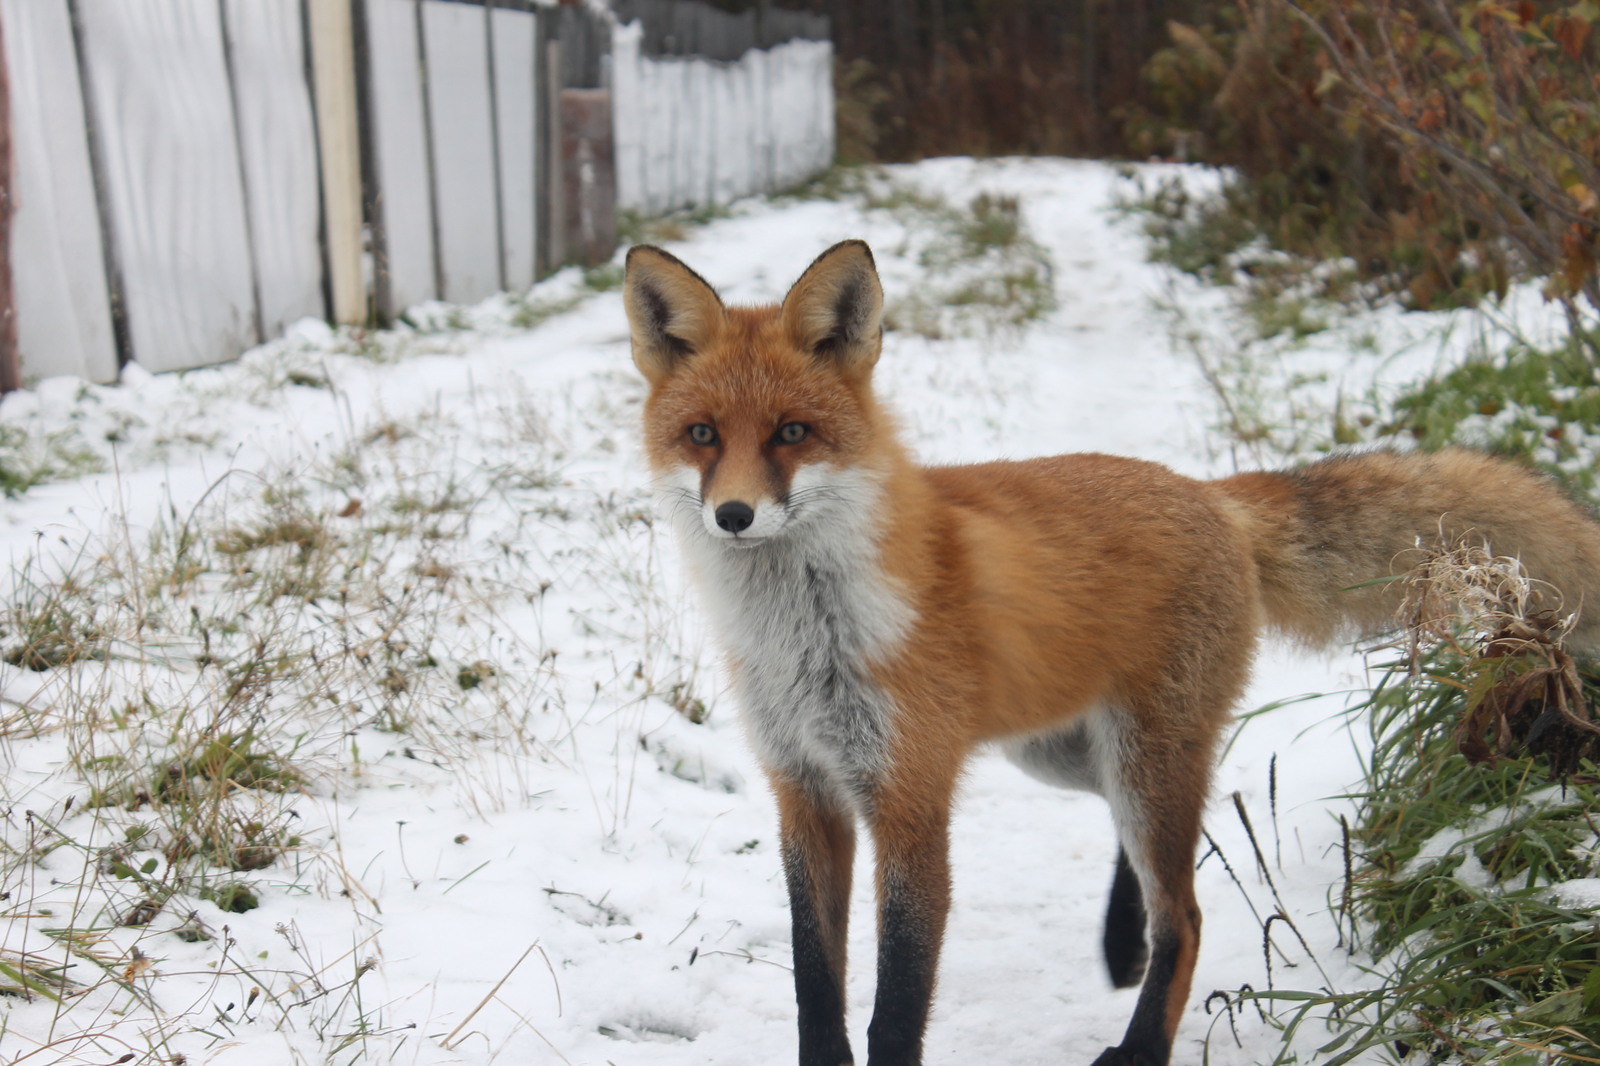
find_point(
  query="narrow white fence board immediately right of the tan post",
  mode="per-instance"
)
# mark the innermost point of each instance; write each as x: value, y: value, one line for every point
x: 404, y: 214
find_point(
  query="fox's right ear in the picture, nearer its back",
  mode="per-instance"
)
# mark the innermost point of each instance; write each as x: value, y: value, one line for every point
x: 836, y: 310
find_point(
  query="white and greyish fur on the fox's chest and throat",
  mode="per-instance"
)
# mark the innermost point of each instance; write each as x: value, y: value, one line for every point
x: 806, y: 614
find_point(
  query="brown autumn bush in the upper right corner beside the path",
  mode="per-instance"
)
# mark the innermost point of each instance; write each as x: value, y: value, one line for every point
x: 1442, y: 145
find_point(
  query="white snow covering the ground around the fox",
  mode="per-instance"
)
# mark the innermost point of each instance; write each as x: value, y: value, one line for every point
x: 558, y: 865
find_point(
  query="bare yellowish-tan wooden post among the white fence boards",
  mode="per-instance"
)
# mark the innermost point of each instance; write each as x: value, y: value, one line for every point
x: 338, y: 137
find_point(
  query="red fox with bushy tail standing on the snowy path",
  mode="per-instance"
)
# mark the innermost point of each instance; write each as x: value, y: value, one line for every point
x: 1094, y: 615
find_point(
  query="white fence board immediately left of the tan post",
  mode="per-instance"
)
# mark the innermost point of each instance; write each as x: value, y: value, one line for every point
x: 279, y: 150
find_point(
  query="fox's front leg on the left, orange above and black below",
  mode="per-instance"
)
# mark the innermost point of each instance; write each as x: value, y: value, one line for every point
x: 818, y: 849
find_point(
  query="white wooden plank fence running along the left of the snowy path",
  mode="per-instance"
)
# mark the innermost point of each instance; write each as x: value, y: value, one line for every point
x: 194, y: 175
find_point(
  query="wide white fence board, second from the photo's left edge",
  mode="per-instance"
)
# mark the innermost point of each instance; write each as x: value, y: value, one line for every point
x: 172, y: 178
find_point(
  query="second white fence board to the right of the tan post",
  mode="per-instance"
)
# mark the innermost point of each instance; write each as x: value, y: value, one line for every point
x: 458, y: 102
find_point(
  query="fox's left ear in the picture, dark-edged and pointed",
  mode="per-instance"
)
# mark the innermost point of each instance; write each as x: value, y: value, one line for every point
x: 671, y: 311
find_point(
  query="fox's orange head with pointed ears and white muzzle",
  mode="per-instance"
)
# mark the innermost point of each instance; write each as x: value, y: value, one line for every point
x: 759, y: 419
